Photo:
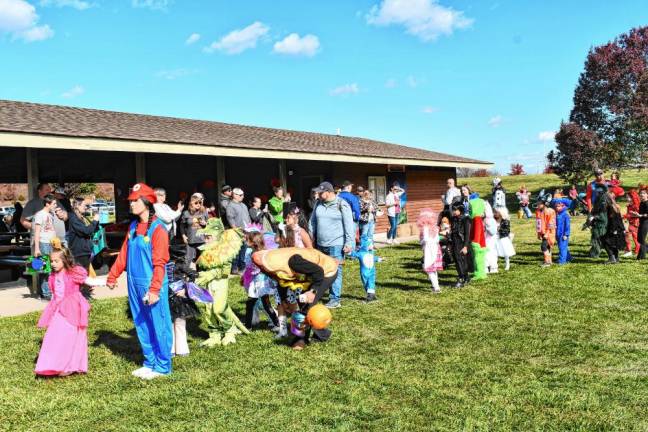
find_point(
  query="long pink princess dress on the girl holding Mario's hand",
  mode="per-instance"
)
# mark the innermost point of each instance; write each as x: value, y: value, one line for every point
x: 65, y: 345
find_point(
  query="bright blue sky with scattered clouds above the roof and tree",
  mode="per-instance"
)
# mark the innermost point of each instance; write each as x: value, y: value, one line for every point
x: 489, y: 79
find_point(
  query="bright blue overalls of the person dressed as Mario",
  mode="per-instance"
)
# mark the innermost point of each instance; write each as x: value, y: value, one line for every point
x: 152, y: 323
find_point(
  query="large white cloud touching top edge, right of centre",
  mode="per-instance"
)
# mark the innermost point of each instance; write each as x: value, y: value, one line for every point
x: 426, y: 19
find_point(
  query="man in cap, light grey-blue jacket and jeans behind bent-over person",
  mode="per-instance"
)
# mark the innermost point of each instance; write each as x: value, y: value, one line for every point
x: 332, y: 226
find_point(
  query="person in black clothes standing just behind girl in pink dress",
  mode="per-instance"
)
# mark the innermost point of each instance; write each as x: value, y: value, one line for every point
x: 80, y: 233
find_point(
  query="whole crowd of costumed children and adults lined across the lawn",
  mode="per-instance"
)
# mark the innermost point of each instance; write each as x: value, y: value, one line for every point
x: 288, y: 257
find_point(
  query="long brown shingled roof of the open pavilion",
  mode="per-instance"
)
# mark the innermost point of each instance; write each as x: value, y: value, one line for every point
x: 25, y: 117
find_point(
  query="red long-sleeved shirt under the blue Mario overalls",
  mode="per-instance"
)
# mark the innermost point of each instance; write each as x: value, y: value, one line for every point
x: 160, y: 256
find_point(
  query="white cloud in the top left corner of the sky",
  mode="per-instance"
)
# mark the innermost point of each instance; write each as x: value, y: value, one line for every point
x: 19, y: 18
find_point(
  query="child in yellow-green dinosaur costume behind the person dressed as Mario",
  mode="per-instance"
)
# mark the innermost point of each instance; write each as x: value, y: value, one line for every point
x: 220, y: 248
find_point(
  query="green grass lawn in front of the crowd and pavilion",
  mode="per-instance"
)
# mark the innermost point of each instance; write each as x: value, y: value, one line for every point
x: 564, y: 348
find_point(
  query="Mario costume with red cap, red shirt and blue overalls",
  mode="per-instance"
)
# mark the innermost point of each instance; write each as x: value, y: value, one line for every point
x: 144, y: 255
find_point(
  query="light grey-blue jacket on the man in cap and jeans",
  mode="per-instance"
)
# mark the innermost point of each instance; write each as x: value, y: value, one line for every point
x: 332, y: 224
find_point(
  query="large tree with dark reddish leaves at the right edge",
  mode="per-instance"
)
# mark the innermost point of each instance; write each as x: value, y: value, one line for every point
x: 608, y: 125
